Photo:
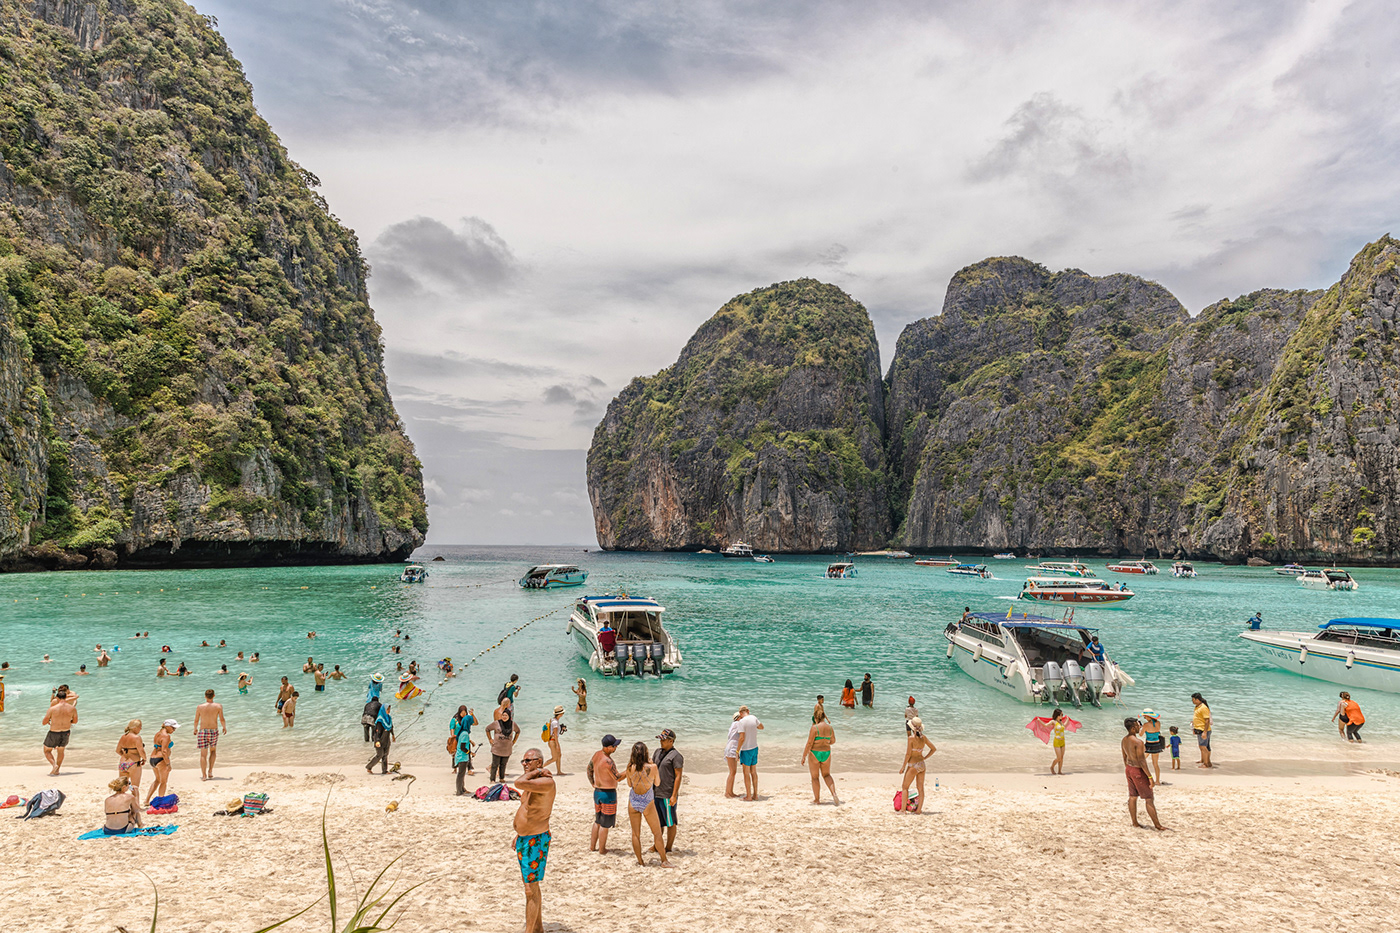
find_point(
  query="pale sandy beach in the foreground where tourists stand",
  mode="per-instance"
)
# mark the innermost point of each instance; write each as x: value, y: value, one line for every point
x: 995, y: 852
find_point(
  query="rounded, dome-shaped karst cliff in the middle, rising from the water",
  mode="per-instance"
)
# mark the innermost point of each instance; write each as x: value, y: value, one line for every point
x: 769, y: 429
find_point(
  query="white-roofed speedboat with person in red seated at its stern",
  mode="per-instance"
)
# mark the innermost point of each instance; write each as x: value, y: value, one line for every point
x: 621, y: 635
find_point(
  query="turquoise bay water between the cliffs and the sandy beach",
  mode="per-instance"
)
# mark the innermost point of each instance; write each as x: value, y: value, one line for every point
x: 771, y: 637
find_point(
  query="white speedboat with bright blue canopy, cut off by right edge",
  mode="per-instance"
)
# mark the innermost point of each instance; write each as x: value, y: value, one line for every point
x: 1350, y: 652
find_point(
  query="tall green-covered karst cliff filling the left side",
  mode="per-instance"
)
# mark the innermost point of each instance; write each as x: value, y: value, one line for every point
x: 190, y: 368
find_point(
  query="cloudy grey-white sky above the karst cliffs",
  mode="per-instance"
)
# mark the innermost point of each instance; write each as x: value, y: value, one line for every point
x: 555, y: 195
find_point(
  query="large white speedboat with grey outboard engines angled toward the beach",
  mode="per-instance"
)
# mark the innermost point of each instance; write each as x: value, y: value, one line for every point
x: 1035, y: 659
